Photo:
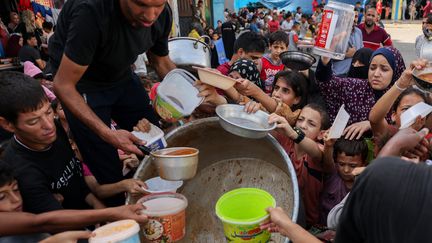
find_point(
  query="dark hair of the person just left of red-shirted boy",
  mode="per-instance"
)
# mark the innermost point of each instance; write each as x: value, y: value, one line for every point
x: 250, y: 42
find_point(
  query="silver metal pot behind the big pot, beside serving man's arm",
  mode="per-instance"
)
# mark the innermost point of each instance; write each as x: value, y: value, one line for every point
x: 185, y: 51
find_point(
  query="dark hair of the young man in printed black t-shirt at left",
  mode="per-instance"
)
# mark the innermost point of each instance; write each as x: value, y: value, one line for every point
x: 19, y: 93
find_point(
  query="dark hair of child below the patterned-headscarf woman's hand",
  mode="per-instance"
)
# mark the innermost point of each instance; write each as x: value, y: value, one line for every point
x: 351, y: 148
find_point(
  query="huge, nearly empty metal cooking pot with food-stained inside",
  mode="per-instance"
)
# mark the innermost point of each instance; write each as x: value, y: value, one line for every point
x: 227, y: 162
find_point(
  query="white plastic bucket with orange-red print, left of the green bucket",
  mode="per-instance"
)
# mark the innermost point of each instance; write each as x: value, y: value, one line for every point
x: 167, y: 217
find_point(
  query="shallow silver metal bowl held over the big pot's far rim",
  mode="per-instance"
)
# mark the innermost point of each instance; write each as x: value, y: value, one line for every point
x: 235, y: 120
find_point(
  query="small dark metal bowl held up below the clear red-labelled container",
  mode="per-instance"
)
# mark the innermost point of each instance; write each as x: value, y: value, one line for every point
x: 296, y: 60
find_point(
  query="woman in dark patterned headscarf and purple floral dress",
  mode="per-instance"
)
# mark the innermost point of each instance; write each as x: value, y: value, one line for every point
x: 360, y: 95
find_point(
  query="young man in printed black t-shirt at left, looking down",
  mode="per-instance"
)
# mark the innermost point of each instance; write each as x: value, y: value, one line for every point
x: 40, y: 152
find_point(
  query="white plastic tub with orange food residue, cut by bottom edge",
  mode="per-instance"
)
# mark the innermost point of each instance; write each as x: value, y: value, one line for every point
x: 123, y: 231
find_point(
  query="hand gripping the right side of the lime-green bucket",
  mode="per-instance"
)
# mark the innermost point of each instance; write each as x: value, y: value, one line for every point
x: 278, y: 221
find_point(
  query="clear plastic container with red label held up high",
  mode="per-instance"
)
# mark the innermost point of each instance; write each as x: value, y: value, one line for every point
x: 335, y: 30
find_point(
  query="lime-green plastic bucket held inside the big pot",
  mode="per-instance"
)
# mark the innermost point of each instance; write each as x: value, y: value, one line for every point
x: 241, y: 212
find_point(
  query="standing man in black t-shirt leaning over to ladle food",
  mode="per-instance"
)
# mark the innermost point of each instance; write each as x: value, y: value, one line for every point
x: 92, y: 50
